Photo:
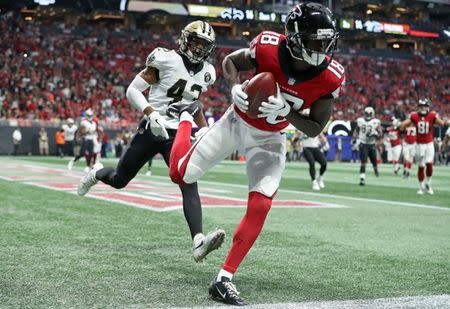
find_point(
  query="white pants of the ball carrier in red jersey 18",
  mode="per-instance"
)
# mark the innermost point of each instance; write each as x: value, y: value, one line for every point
x: 264, y: 152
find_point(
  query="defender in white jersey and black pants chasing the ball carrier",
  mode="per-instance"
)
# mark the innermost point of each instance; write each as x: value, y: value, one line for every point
x: 176, y: 79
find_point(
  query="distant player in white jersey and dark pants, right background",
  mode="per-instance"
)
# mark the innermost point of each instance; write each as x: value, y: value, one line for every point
x: 368, y: 130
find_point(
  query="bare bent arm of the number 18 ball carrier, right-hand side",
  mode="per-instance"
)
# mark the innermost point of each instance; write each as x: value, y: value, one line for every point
x: 318, y: 117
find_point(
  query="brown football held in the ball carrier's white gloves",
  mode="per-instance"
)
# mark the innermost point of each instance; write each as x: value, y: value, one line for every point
x: 260, y: 87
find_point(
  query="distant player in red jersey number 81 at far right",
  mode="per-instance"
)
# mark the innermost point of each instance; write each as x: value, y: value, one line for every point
x: 424, y: 121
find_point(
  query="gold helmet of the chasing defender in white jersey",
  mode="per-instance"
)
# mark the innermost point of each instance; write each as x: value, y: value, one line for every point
x: 197, y: 41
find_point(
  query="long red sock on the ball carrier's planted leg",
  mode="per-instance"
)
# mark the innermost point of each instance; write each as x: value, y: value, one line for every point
x: 247, y: 232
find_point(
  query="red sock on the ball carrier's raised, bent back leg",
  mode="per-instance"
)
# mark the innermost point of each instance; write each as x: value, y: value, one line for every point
x: 180, y: 147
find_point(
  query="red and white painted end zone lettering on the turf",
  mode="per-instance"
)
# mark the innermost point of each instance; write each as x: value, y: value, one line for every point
x: 149, y: 194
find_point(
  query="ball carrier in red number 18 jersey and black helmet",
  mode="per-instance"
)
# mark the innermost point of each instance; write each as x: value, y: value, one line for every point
x: 308, y: 77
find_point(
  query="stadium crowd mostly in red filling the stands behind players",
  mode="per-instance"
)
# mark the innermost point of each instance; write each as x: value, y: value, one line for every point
x: 52, y: 72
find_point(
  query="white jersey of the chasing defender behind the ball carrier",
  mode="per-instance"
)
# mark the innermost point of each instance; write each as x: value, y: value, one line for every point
x: 176, y: 83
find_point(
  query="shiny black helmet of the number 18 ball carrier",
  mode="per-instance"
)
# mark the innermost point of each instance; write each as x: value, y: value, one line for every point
x: 311, y: 33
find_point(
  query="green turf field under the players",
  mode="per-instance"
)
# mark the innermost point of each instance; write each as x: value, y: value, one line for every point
x: 61, y: 250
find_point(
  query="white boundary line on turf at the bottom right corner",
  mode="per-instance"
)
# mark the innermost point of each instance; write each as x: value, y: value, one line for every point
x: 423, y: 302
